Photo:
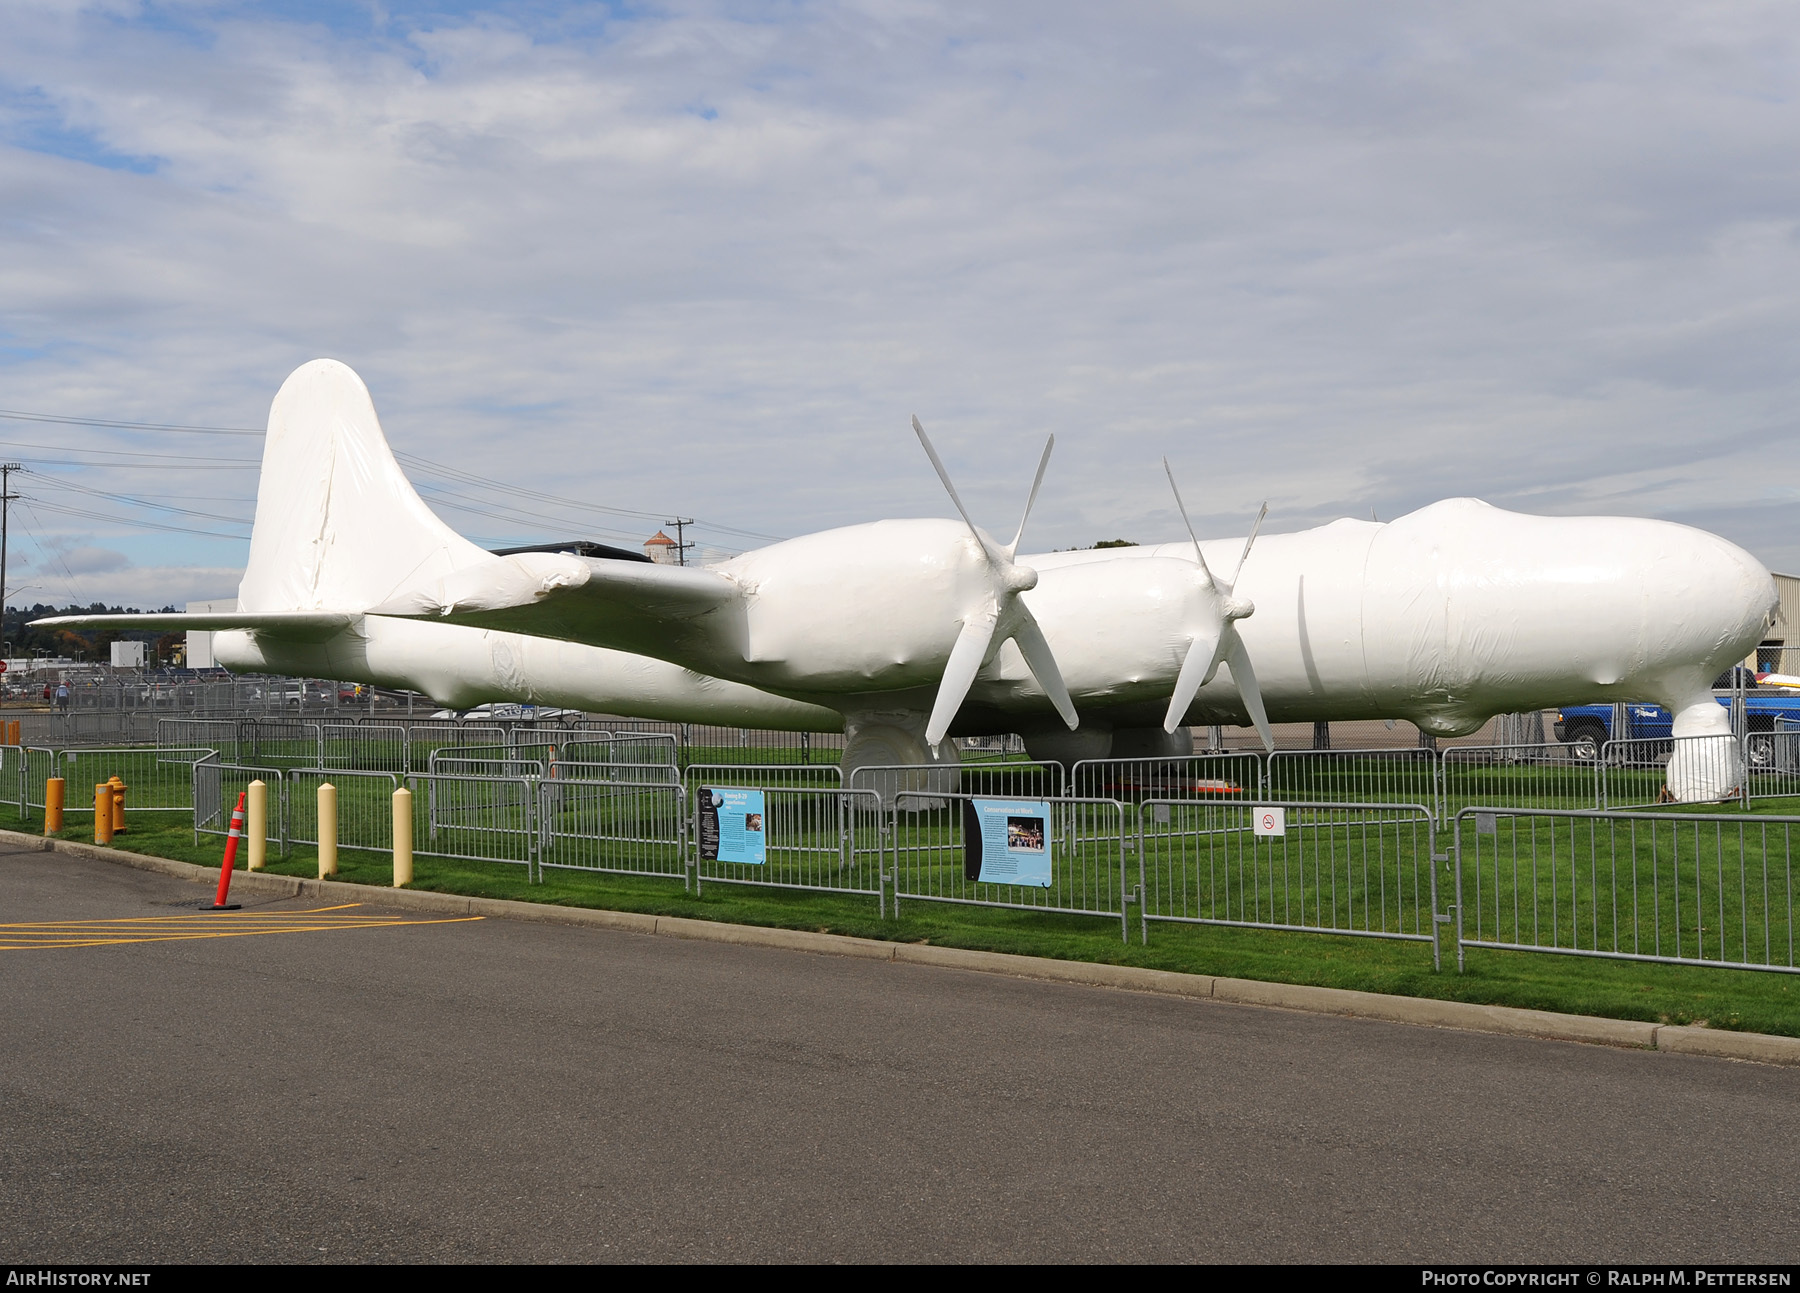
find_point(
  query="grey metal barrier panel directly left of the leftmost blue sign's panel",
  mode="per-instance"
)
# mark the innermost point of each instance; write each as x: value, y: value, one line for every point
x: 613, y: 826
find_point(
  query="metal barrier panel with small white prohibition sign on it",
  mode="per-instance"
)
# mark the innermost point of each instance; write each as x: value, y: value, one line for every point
x: 1336, y: 869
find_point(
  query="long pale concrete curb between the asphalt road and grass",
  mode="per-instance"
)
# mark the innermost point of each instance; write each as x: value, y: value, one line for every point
x: 1545, y: 1026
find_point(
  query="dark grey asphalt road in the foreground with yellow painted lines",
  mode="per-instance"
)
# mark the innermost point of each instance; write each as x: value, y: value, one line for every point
x: 516, y: 1092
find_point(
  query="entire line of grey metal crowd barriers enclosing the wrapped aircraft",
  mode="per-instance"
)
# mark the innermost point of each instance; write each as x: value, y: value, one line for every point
x: 1700, y: 889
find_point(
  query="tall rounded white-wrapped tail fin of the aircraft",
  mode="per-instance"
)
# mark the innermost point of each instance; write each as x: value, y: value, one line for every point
x: 337, y: 523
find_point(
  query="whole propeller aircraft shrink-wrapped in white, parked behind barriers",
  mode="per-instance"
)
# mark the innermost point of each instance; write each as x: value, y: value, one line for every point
x: 906, y: 633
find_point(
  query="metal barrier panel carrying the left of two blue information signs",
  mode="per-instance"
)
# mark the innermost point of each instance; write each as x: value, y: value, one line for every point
x: 800, y: 838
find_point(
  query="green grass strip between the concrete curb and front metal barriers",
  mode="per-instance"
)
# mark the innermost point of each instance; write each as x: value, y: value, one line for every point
x: 1749, y: 1000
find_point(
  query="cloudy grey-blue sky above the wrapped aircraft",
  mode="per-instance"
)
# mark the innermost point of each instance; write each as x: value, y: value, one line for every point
x: 602, y: 266
